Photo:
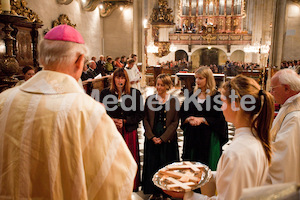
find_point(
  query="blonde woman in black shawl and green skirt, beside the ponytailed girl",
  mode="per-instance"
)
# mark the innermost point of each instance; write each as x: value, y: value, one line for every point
x: 205, y: 129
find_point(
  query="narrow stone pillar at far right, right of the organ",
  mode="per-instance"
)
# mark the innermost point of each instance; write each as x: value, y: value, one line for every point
x: 278, y: 32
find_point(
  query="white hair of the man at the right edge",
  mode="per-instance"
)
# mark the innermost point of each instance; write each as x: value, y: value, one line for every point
x: 289, y: 77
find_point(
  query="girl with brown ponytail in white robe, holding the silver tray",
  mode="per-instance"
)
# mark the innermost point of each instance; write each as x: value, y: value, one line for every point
x: 244, y: 163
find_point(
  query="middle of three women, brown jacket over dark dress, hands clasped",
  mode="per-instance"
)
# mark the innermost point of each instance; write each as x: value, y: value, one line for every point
x: 161, y: 147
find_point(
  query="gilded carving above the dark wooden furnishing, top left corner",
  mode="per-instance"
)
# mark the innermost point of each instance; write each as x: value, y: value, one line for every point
x: 18, y: 7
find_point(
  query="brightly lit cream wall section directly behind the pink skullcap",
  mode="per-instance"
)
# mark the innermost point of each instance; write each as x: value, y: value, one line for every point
x: 87, y: 23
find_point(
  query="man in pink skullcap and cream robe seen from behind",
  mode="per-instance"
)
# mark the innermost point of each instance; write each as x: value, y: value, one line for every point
x: 56, y: 142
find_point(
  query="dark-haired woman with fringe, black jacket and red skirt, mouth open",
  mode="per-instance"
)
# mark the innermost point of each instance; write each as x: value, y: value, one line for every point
x: 123, y: 105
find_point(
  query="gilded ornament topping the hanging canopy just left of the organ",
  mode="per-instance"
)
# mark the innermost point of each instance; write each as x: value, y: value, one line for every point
x: 162, y: 15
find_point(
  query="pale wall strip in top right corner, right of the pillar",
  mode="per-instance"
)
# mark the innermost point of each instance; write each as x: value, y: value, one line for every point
x: 291, y: 50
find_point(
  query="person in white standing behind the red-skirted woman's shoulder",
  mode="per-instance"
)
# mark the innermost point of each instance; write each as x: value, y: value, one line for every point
x: 133, y: 74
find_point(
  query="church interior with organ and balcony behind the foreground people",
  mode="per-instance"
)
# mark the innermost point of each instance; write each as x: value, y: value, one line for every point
x: 255, y: 38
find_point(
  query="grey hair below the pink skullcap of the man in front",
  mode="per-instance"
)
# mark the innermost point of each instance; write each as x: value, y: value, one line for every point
x: 53, y: 52
